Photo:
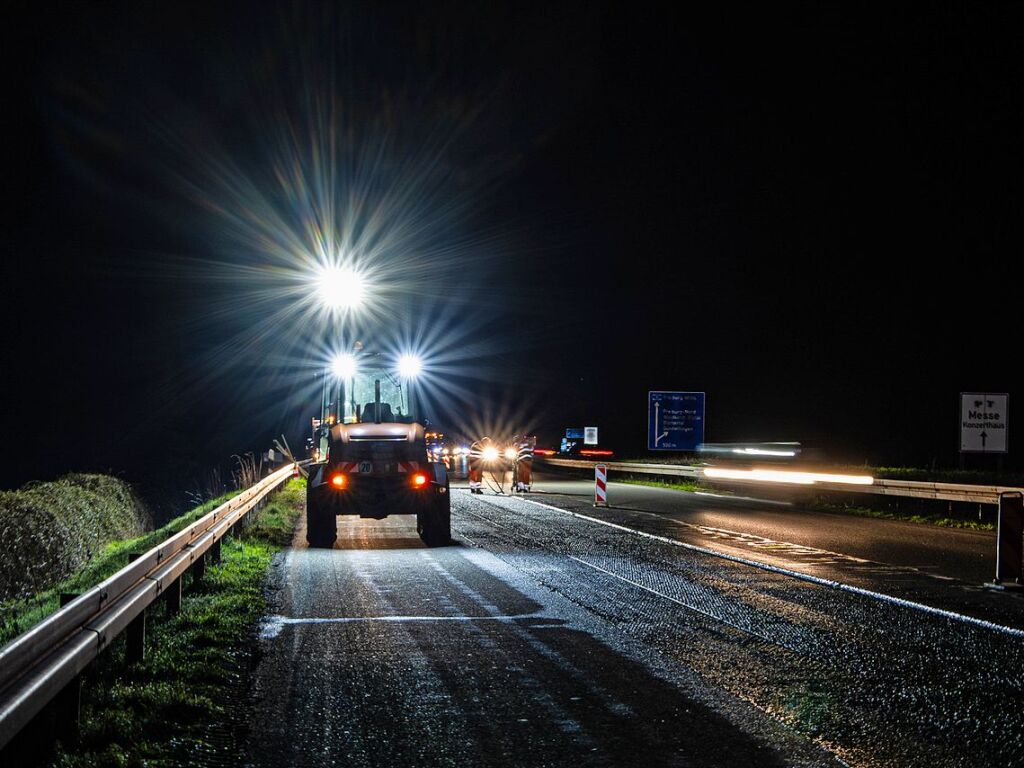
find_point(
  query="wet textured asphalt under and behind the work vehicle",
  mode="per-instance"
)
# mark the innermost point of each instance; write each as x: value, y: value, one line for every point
x: 544, y: 638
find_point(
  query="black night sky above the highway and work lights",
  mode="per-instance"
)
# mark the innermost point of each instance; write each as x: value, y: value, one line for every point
x: 810, y: 212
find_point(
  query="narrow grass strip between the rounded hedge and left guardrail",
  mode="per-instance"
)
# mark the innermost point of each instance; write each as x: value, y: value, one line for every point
x: 19, y: 616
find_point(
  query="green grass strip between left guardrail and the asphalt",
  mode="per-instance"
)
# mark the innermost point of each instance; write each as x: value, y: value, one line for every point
x: 186, y: 704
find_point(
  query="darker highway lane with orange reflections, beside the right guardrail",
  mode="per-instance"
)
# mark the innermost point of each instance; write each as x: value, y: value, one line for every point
x: 943, y: 568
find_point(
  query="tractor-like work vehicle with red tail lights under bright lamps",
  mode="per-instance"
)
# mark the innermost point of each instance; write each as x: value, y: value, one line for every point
x: 376, y: 463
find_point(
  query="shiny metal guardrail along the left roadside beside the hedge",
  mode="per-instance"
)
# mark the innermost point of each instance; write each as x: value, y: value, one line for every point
x: 39, y: 664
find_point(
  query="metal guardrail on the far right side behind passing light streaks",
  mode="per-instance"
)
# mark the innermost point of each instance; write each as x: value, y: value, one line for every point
x: 916, y: 489
